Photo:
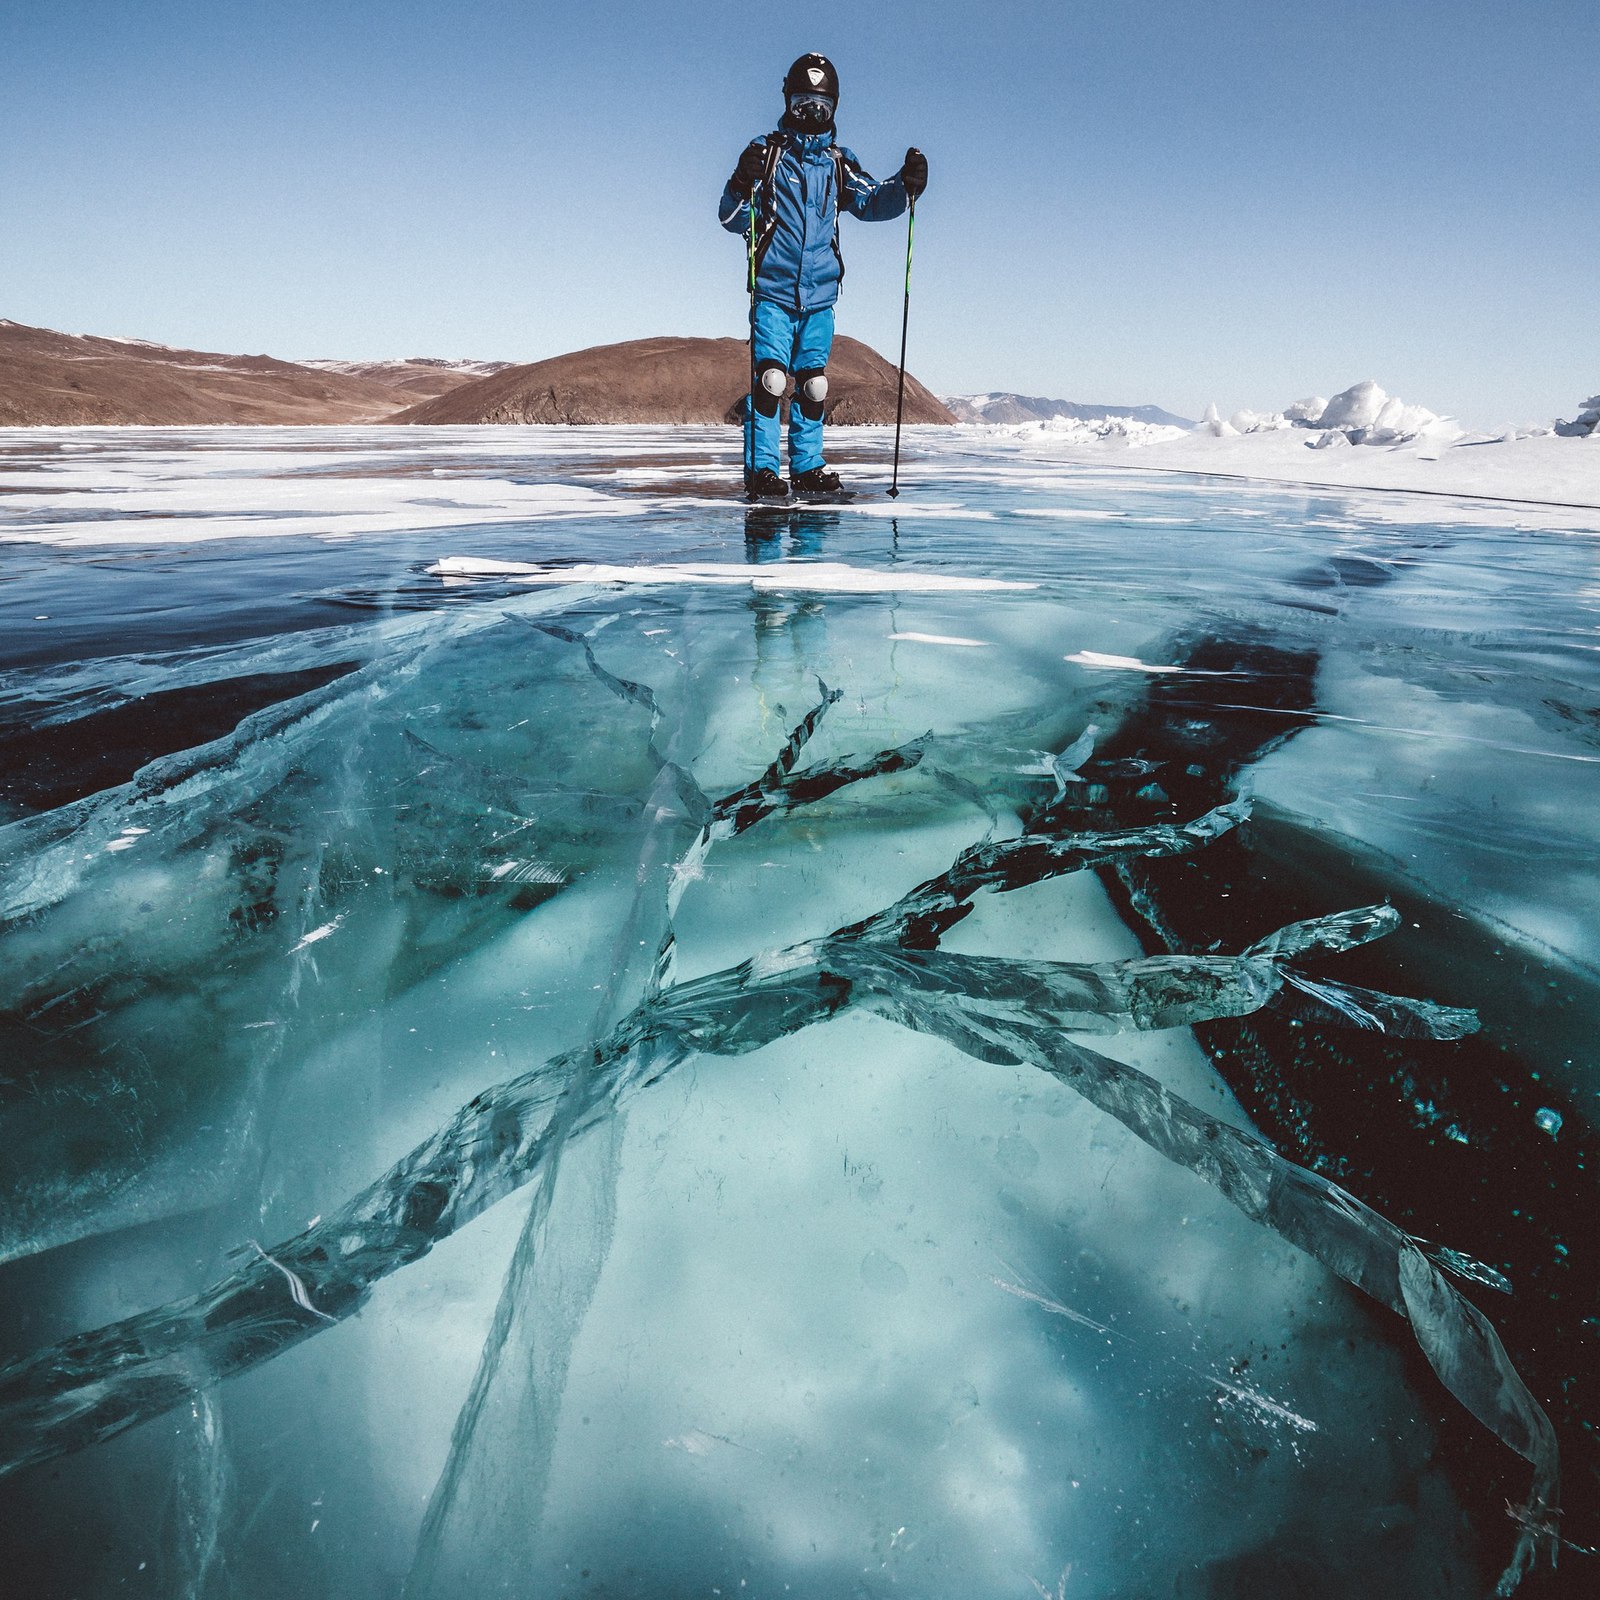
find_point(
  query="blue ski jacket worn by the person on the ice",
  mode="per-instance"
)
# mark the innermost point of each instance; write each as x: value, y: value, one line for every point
x: 809, y: 182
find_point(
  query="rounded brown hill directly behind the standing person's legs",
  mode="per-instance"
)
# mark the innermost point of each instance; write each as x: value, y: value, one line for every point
x: 668, y: 382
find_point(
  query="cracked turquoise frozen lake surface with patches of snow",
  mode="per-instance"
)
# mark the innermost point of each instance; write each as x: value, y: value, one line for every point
x: 564, y: 1038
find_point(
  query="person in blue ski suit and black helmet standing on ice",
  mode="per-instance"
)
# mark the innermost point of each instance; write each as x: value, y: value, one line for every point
x: 796, y: 182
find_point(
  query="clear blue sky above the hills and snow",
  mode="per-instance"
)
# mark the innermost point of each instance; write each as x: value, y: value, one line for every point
x: 1135, y: 201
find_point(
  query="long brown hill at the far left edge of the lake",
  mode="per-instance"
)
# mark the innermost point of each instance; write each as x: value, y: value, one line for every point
x: 66, y: 378
